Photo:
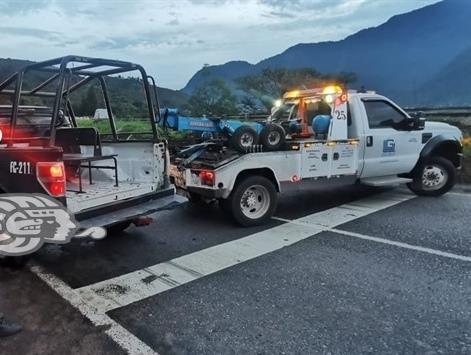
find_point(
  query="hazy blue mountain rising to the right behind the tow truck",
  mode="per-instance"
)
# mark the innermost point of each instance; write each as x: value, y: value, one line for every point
x: 396, y: 58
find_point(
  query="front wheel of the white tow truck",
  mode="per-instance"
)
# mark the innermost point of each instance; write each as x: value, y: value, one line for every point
x: 434, y: 176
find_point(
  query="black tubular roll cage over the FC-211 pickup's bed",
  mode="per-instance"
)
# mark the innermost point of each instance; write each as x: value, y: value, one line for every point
x: 68, y: 74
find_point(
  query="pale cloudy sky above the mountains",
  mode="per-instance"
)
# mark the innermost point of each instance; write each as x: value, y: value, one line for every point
x: 173, y: 39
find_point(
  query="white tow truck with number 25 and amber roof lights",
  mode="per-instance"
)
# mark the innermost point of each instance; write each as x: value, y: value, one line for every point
x: 367, y: 138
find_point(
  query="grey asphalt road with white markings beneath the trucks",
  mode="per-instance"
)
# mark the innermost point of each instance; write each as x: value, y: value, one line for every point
x: 340, y: 271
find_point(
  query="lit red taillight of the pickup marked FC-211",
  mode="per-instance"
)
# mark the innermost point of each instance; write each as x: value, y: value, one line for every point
x: 51, y: 176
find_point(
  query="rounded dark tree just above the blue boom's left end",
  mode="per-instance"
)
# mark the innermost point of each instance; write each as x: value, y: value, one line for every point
x: 212, y: 98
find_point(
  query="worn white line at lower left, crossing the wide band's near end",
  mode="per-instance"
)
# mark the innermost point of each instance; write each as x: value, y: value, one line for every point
x: 125, y: 339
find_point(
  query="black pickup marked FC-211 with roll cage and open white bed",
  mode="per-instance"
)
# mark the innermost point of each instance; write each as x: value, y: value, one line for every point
x: 105, y: 179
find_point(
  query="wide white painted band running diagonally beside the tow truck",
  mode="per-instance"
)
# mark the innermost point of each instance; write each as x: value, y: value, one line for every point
x: 138, y: 285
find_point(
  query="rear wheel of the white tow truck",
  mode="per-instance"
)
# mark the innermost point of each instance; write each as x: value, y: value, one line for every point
x: 253, y: 201
